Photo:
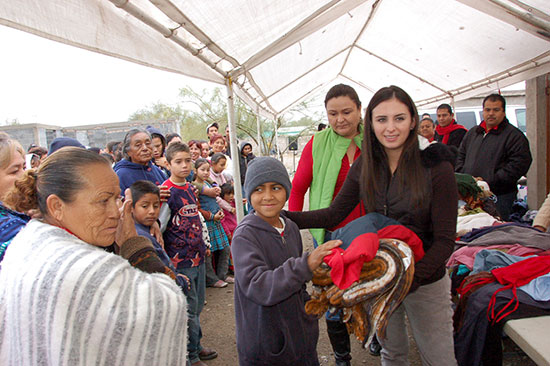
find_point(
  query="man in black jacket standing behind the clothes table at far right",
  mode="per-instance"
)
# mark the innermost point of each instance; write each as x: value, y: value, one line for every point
x: 496, y: 152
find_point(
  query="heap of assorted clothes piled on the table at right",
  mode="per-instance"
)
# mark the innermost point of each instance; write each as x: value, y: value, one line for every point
x: 500, y: 271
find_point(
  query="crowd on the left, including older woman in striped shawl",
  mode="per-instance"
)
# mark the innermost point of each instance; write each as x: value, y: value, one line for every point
x: 177, y: 219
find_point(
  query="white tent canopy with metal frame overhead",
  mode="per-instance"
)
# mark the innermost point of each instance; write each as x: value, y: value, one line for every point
x: 276, y: 53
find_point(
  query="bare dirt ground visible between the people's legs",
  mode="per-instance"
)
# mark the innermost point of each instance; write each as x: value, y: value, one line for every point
x: 218, y: 326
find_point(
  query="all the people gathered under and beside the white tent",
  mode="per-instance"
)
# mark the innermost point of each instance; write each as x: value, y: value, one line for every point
x: 106, y: 255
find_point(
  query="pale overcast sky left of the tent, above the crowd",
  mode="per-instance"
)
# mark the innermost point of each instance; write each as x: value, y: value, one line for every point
x: 43, y: 81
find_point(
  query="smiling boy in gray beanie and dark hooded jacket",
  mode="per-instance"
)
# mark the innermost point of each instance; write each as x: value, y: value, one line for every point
x: 270, y: 275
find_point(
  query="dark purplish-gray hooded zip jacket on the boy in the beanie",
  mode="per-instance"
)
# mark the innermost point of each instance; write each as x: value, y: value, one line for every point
x: 270, y: 293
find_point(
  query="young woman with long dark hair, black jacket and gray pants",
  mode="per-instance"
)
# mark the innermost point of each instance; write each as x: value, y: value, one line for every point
x: 417, y: 188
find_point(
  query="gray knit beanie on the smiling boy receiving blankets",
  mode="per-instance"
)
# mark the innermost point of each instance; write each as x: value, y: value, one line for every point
x: 262, y: 170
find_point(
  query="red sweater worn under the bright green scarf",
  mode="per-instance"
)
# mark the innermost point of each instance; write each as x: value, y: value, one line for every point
x: 304, y: 176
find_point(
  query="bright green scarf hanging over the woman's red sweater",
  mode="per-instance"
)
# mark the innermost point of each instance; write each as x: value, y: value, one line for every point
x: 328, y: 151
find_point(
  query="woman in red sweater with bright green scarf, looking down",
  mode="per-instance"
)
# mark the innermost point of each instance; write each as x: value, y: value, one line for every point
x: 323, y: 167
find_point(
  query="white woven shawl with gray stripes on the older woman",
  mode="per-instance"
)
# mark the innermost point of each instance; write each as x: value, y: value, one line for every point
x: 66, y: 302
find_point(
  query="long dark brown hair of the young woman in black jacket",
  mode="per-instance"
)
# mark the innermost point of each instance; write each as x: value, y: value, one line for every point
x: 410, y: 172
